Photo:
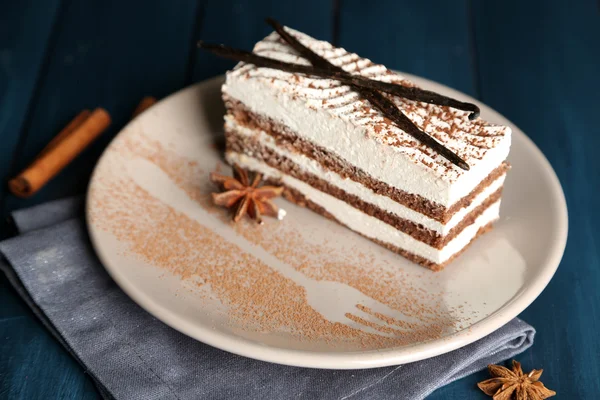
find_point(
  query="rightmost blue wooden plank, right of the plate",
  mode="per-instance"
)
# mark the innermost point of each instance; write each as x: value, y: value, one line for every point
x: 539, y: 67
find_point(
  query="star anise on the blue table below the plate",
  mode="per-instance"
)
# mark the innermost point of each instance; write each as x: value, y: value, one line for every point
x: 507, y: 384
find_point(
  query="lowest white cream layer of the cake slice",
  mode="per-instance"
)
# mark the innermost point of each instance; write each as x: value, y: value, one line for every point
x: 367, y: 225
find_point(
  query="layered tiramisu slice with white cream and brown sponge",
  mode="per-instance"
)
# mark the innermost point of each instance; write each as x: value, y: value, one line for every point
x: 337, y: 154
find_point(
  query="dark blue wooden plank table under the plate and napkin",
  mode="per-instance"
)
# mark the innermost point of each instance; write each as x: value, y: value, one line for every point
x: 537, y: 62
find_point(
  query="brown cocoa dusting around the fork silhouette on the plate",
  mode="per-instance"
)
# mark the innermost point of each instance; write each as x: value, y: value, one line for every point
x: 256, y: 296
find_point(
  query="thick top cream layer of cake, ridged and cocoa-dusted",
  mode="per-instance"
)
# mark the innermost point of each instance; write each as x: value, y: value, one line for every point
x: 335, y: 118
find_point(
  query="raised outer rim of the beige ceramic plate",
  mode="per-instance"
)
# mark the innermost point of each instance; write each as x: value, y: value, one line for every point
x: 368, y: 358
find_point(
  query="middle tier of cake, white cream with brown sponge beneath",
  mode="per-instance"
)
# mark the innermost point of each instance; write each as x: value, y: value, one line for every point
x: 261, y: 146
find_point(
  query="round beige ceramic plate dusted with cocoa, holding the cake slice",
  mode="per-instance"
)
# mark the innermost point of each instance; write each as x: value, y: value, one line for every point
x: 282, y: 292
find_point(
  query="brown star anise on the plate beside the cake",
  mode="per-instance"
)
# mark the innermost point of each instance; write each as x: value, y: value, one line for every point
x: 245, y: 196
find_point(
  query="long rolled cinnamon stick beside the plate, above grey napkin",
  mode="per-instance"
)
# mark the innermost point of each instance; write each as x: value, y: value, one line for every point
x: 71, y: 141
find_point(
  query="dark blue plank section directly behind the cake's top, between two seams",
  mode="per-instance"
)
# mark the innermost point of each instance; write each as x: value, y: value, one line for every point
x: 421, y: 38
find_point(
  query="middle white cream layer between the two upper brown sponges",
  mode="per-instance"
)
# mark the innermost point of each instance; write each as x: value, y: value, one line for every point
x: 313, y: 167
